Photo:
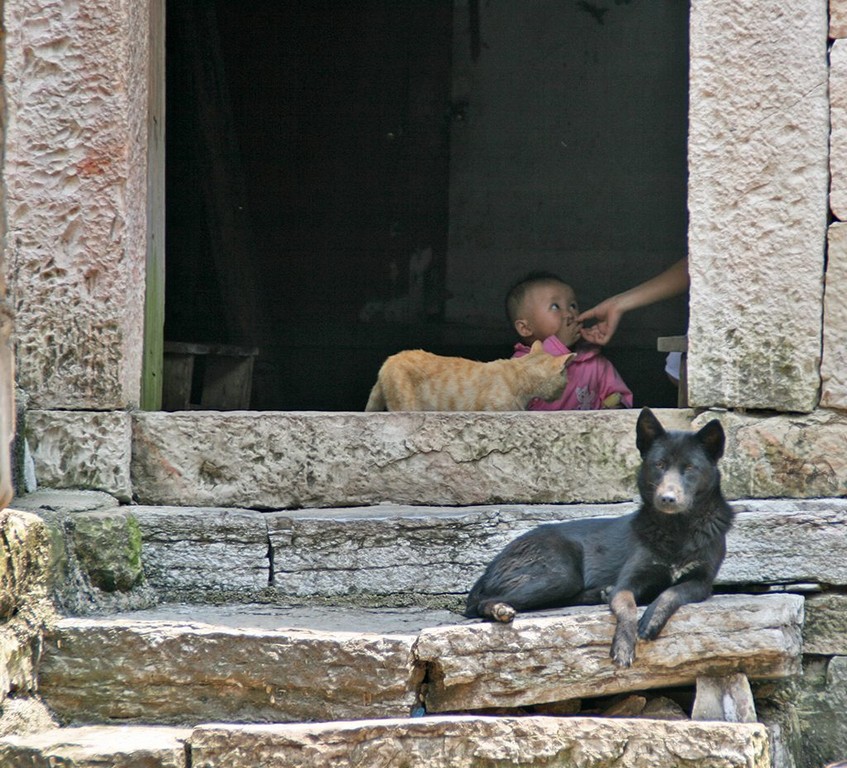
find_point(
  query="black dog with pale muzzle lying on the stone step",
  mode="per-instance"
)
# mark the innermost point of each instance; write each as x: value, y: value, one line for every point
x: 666, y: 554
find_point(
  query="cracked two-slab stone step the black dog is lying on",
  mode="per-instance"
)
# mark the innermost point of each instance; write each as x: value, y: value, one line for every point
x: 172, y: 665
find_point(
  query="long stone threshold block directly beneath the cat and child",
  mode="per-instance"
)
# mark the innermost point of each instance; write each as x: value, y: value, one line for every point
x: 284, y: 460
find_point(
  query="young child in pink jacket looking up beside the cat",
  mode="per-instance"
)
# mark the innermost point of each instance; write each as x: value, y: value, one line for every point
x: 543, y: 308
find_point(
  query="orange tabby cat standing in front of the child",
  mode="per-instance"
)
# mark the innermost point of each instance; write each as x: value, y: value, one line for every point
x: 415, y: 380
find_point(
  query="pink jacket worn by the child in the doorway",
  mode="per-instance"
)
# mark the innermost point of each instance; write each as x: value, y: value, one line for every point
x: 591, y: 379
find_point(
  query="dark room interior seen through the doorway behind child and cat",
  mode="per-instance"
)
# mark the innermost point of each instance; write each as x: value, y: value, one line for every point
x: 347, y: 180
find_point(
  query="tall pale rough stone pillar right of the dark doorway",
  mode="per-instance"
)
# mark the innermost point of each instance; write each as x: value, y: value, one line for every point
x: 758, y: 182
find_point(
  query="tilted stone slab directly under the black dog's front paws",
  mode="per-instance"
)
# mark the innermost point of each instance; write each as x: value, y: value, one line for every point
x: 551, y: 659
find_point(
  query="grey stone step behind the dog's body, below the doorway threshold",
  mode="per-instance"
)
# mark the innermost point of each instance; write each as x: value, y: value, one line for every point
x: 388, y: 554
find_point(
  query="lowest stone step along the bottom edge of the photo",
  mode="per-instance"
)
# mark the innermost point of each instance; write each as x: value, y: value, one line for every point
x: 430, y: 742
